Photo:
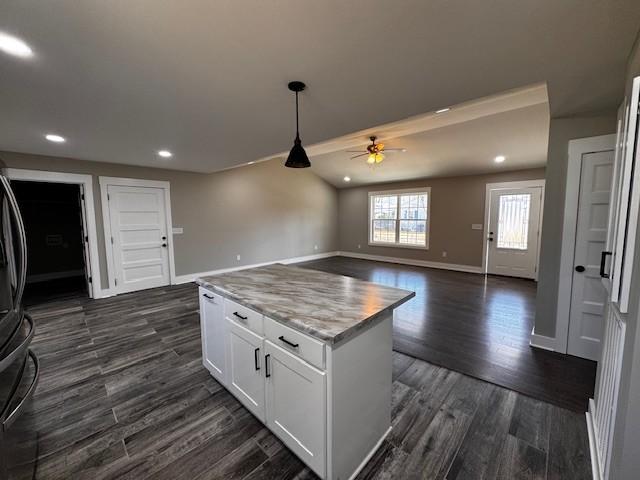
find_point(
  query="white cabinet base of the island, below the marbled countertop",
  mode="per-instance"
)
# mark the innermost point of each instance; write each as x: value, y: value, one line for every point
x: 329, y: 404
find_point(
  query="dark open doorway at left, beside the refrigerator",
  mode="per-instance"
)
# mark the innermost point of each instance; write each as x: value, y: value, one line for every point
x: 57, y: 244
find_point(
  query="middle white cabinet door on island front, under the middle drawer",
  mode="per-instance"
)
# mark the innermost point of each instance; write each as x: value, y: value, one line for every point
x: 246, y: 381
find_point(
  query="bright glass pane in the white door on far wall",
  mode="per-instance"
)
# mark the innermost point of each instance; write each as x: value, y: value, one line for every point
x: 513, y: 221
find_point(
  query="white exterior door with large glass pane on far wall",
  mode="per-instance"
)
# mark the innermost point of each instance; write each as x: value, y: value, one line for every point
x: 514, y: 231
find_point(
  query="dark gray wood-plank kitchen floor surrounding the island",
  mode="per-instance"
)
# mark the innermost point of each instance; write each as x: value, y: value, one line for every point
x: 123, y: 395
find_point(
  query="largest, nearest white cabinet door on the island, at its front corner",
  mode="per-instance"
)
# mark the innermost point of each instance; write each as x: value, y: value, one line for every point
x: 296, y: 405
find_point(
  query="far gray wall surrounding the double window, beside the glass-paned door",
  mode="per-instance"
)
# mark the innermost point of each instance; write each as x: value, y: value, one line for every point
x: 456, y: 203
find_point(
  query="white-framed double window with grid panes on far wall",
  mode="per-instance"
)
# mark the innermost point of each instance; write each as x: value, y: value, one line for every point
x: 399, y: 218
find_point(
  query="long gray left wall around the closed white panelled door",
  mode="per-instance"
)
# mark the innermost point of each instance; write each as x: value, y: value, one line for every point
x: 263, y: 212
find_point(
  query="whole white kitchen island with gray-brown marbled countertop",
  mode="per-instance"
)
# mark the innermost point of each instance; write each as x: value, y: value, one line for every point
x: 309, y: 353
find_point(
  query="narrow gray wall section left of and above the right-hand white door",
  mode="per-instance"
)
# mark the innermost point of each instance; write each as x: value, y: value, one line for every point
x: 561, y: 130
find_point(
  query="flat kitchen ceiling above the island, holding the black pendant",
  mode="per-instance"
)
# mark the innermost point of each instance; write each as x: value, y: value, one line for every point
x: 206, y: 79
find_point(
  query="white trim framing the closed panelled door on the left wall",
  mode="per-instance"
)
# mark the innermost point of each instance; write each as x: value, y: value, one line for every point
x: 134, y: 182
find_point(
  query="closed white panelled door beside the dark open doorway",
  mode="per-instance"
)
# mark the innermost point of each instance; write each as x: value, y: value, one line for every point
x: 139, y: 237
